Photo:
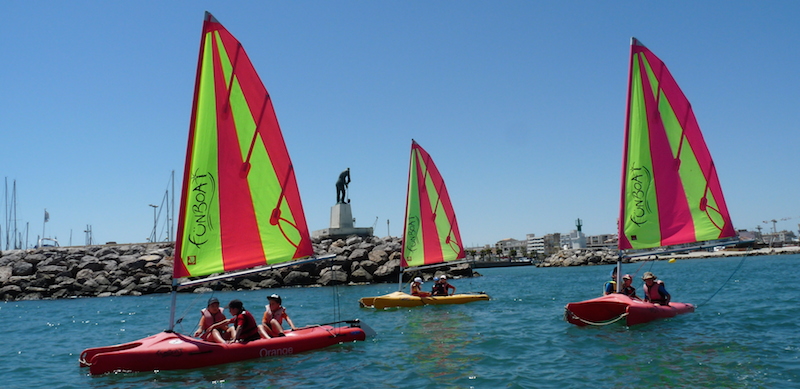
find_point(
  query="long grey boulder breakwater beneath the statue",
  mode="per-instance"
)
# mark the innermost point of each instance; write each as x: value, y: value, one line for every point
x: 137, y: 269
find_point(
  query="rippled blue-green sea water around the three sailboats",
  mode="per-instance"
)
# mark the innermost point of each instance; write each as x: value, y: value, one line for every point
x: 745, y: 336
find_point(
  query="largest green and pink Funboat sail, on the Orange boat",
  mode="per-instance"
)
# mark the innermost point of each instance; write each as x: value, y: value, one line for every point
x: 240, y: 206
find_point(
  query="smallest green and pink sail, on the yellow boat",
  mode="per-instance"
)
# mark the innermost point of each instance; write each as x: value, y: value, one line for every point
x: 431, y: 231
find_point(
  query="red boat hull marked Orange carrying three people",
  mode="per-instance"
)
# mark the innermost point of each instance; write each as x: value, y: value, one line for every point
x: 174, y: 351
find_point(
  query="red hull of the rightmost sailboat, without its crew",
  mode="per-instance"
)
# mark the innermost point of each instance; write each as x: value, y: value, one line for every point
x: 605, y: 309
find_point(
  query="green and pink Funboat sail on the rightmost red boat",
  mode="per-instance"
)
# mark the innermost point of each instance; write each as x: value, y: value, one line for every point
x: 670, y: 190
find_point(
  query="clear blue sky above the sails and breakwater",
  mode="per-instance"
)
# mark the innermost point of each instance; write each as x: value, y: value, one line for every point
x: 520, y: 104
